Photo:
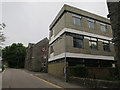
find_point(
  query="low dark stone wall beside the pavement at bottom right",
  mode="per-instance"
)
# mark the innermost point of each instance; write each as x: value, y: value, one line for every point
x: 94, y: 83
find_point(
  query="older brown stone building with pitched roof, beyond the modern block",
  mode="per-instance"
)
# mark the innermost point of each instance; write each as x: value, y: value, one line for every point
x: 37, y: 56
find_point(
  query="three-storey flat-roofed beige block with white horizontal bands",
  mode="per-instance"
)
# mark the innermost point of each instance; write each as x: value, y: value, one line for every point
x: 78, y: 37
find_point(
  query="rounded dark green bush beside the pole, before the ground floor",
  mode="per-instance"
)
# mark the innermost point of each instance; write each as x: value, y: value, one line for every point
x: 79, y: 71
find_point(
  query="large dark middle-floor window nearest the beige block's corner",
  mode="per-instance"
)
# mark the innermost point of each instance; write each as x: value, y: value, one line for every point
x: 78, y: 42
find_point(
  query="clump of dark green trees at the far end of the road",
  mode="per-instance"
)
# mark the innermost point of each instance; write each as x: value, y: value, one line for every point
x: 14, y: 55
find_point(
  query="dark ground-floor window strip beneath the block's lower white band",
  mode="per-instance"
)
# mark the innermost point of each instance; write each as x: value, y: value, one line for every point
x: 85, y: 62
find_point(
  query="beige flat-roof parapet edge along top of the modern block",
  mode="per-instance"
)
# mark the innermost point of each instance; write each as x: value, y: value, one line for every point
x: 80, y: 12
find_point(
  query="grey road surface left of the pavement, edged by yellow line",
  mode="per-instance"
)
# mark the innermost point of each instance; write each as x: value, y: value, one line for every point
x: 16, y: 78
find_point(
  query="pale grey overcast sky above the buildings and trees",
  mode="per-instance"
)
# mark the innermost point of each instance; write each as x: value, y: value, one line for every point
x: 28, y: 22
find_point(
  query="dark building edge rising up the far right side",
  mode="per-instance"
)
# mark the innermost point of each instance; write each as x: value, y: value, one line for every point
x: 114, y: 15
